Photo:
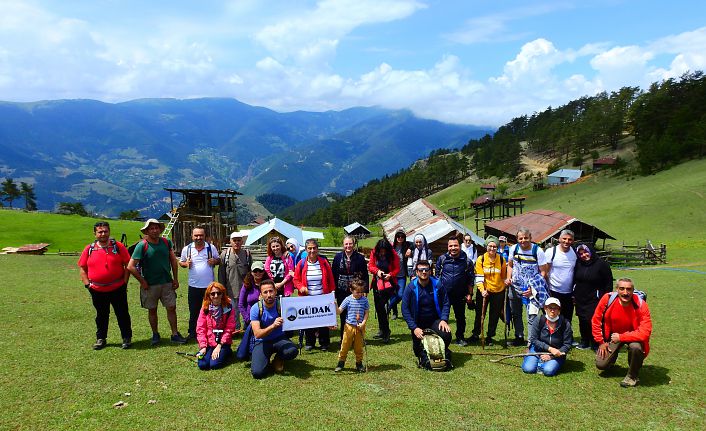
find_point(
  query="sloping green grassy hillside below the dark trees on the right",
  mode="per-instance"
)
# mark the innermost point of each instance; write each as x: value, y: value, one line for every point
x: 668, y: 207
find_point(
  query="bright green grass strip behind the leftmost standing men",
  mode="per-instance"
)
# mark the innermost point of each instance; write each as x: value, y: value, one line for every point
x: 63, y: 232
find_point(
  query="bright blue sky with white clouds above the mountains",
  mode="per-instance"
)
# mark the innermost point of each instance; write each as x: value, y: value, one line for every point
x: 458, y: 61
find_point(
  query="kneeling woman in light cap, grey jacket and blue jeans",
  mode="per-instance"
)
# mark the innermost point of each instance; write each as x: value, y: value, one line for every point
x: 550, y: 333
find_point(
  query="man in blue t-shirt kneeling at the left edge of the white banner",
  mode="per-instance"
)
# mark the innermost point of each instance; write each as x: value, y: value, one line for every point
x: 269, y: 337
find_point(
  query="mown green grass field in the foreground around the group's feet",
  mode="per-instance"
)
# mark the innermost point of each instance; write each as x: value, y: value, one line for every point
x: 51, y: 378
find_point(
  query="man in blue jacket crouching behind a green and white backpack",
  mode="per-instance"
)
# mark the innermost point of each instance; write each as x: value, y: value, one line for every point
x: 425, y: 305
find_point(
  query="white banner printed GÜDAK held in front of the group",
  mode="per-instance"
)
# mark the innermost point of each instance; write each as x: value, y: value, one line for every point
x: 303, y: 312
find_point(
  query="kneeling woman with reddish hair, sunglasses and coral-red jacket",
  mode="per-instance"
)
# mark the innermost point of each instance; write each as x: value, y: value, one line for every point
x: 214, y: 328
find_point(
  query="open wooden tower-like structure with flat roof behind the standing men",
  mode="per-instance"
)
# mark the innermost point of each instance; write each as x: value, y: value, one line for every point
x: 212, y: 209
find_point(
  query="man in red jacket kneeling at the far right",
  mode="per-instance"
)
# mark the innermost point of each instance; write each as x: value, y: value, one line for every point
x: 625, y: 321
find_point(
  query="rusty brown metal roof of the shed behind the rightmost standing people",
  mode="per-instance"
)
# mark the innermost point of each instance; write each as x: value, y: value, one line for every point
x: 545, y: 225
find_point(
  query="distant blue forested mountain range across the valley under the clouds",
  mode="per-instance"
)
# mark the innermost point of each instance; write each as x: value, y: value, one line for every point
x: 118, y: 156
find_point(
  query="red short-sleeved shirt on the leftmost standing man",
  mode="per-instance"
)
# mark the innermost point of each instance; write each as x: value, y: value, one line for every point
x: 105, y: 265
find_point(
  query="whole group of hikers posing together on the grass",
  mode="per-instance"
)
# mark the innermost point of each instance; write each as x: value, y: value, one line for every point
x: 549, y: 285
